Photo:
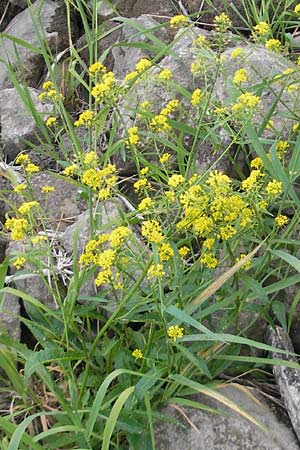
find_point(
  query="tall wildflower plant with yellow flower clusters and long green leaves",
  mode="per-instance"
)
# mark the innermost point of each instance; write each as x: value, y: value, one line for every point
x: 171, y: 273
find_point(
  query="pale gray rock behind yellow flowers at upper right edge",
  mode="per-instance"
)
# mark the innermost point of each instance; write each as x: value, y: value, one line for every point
x: 262, y: 67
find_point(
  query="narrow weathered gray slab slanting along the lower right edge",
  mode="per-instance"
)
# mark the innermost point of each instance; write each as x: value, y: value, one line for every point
x: 287, y: 379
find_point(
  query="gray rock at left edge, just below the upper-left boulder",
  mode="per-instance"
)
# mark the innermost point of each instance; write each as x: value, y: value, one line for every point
x: 17, y: 123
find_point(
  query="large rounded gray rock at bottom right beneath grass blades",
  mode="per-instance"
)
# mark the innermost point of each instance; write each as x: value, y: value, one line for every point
x: 208, y: 431
